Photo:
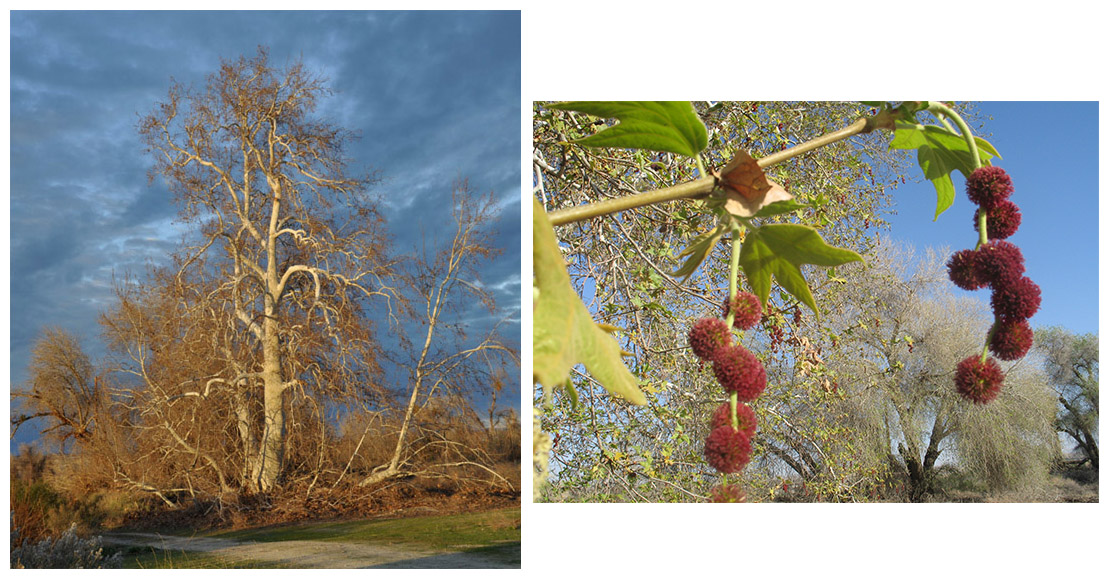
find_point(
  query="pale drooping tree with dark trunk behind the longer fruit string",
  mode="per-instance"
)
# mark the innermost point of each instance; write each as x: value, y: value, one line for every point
x: 906, y: 334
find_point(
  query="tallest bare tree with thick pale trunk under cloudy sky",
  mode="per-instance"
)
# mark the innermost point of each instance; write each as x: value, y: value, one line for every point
x: 290, y: 245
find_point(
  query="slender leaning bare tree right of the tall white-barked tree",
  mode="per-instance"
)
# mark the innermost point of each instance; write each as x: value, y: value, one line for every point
x: 447, y: 360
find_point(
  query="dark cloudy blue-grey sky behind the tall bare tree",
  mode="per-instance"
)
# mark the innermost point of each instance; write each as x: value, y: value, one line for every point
x: 435, y: 96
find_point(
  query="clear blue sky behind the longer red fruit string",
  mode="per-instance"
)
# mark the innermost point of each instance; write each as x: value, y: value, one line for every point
x: 1051, y: 152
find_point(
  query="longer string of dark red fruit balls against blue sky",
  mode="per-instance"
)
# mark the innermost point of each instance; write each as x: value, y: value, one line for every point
x: 997, y: 265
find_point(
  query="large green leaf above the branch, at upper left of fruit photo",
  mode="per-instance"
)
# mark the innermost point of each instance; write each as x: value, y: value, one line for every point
x: 656, y: 126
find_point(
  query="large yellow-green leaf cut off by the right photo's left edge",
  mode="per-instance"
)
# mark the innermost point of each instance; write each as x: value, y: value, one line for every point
x: 564, y: 332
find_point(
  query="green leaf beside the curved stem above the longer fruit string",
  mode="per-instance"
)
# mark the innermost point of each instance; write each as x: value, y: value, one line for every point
x: 940, y: 153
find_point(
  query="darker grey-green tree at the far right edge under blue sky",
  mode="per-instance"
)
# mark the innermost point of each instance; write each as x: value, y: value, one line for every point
x: 1074, y: 365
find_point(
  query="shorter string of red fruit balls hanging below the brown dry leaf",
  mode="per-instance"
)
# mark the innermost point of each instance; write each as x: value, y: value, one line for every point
x: 742, y: 376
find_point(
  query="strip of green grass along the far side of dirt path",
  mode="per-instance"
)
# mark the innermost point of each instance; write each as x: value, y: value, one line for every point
x: 493, y: 529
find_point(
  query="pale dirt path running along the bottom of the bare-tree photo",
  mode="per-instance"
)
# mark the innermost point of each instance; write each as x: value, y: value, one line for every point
x: 314, y: 555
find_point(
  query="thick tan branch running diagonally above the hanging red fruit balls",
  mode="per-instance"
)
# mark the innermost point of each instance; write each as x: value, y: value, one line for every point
x: 705, y: 186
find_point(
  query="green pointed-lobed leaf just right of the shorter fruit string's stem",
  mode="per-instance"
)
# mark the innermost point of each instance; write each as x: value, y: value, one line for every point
x: 780, y: 251
